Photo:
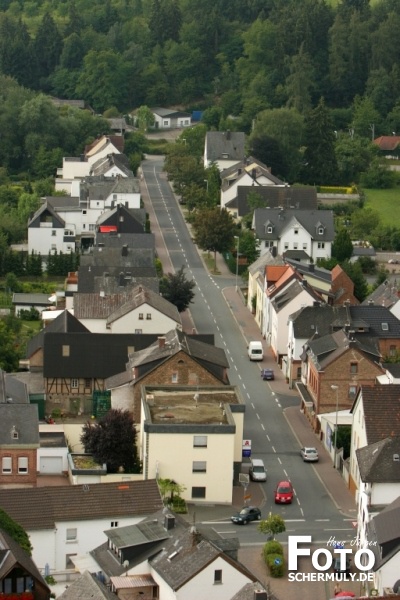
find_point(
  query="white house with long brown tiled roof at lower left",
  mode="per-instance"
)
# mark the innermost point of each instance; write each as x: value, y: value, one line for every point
x: 63, y: 521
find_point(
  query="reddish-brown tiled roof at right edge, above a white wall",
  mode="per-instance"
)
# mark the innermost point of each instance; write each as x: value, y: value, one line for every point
x: 381, y: 405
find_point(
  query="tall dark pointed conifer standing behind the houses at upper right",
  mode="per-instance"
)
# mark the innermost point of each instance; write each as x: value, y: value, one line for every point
x: 320, y: 166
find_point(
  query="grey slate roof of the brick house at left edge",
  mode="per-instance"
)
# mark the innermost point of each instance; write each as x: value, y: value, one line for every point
x: 22, y: 418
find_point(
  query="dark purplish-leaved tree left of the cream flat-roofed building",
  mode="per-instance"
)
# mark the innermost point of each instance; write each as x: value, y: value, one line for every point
x: 112, y: 441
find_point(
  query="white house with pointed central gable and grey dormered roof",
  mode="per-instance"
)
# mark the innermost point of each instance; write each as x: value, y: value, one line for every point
x: 309, y: 231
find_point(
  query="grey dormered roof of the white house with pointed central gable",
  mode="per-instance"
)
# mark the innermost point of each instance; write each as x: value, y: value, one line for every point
x: 279, y: 219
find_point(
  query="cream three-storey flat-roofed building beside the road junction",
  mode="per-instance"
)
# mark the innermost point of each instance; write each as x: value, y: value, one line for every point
x: 195, y: 436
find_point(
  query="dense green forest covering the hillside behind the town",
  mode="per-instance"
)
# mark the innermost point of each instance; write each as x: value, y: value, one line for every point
x: 239, y: 56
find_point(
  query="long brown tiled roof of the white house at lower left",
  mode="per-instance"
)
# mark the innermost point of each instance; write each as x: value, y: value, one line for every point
x: 80, y: 502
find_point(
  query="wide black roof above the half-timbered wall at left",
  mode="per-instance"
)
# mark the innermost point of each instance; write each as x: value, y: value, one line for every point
x: 91, y: 355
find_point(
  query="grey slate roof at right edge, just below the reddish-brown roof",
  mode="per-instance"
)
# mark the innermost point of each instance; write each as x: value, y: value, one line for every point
x: 377, y: 462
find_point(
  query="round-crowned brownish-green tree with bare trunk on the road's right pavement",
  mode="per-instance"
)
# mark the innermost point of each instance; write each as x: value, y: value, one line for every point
x: 214, y: 231
